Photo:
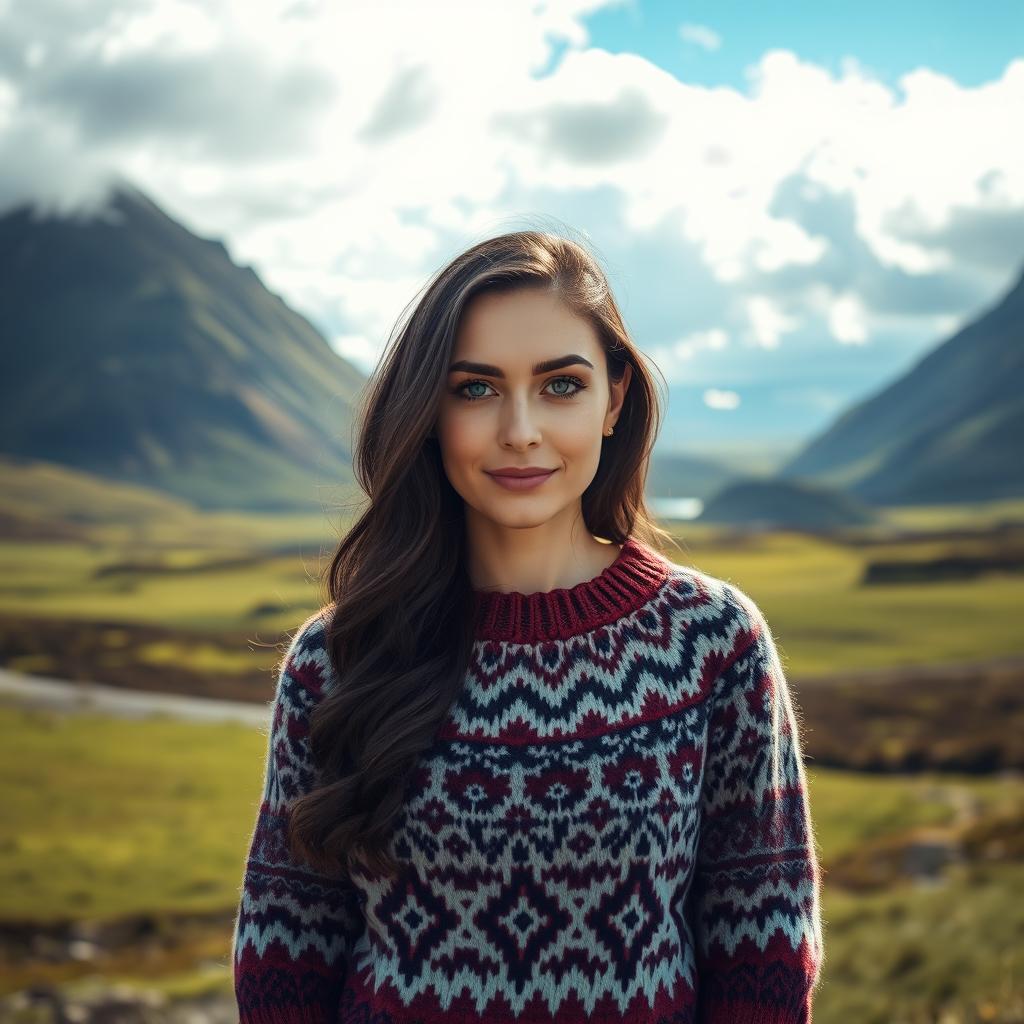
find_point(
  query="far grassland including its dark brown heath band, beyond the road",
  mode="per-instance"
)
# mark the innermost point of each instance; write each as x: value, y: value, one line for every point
x: 208, y: 620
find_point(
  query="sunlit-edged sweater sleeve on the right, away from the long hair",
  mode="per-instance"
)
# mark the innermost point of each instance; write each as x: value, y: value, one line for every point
x: 755, y: 905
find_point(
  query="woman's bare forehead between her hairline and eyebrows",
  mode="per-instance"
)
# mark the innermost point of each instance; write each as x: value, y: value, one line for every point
x: 517, y: 329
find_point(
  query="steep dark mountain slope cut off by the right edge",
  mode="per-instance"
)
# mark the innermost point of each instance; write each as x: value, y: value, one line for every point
x: 949, y: 431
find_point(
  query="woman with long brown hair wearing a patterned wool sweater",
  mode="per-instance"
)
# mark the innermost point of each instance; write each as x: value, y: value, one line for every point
x: 523, y: 766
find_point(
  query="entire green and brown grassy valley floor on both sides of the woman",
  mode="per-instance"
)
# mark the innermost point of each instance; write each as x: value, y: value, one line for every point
x: 139, y: 829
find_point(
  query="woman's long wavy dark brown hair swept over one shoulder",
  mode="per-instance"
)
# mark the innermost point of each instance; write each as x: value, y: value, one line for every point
x: 401, y: 617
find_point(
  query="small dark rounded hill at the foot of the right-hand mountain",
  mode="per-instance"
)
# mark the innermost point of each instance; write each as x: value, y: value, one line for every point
x: 785, y: 505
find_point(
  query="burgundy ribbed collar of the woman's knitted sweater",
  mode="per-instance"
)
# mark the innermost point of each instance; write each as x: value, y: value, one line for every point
x: 628, y: 583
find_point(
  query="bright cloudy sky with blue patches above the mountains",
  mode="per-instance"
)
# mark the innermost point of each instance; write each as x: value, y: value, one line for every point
x: 794, y: 203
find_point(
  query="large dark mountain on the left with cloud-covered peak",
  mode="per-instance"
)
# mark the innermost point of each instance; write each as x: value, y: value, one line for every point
x: 139, y: 352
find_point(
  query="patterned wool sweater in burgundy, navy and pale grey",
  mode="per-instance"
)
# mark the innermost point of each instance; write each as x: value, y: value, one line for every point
x: 613, y: 826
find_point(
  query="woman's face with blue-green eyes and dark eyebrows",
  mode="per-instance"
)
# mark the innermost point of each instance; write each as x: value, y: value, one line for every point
x: 510, y: 411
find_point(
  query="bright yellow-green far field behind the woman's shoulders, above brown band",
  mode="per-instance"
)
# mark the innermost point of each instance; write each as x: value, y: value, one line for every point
x: 824, y: 617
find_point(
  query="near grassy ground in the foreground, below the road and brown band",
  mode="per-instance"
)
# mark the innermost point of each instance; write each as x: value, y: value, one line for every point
x: 149, y: 821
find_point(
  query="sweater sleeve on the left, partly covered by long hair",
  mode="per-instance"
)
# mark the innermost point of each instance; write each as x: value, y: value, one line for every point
x: 295, y: 928
